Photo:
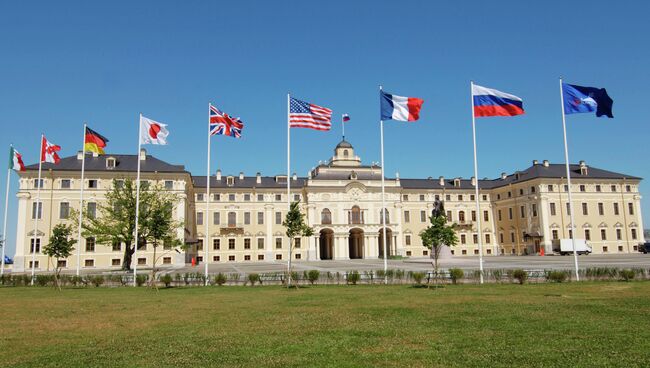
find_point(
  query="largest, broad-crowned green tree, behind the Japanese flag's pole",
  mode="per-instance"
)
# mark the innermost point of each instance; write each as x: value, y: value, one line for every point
x: 115, y: 220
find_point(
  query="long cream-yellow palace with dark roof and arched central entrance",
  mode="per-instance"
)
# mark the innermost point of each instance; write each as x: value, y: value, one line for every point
x: 520, y: 213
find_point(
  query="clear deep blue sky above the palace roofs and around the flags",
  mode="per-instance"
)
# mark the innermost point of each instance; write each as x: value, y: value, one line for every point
x: 104, y: 62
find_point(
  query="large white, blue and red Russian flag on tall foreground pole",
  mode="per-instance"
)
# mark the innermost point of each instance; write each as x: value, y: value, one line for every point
x: 491, y: 102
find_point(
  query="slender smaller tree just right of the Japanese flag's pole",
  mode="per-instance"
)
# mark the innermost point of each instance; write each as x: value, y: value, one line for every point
x: 159, y: 226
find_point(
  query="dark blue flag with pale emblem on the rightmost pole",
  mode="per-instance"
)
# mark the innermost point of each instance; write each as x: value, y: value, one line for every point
x: 578, y: 99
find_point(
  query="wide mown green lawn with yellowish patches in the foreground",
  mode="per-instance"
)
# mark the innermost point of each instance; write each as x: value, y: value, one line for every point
x: 545, y: 325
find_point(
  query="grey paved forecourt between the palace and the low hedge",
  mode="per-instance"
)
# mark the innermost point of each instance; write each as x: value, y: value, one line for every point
x: 503, y: 262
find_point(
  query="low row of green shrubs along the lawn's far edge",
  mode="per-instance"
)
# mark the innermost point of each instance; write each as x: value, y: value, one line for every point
x: 313, y: 277
